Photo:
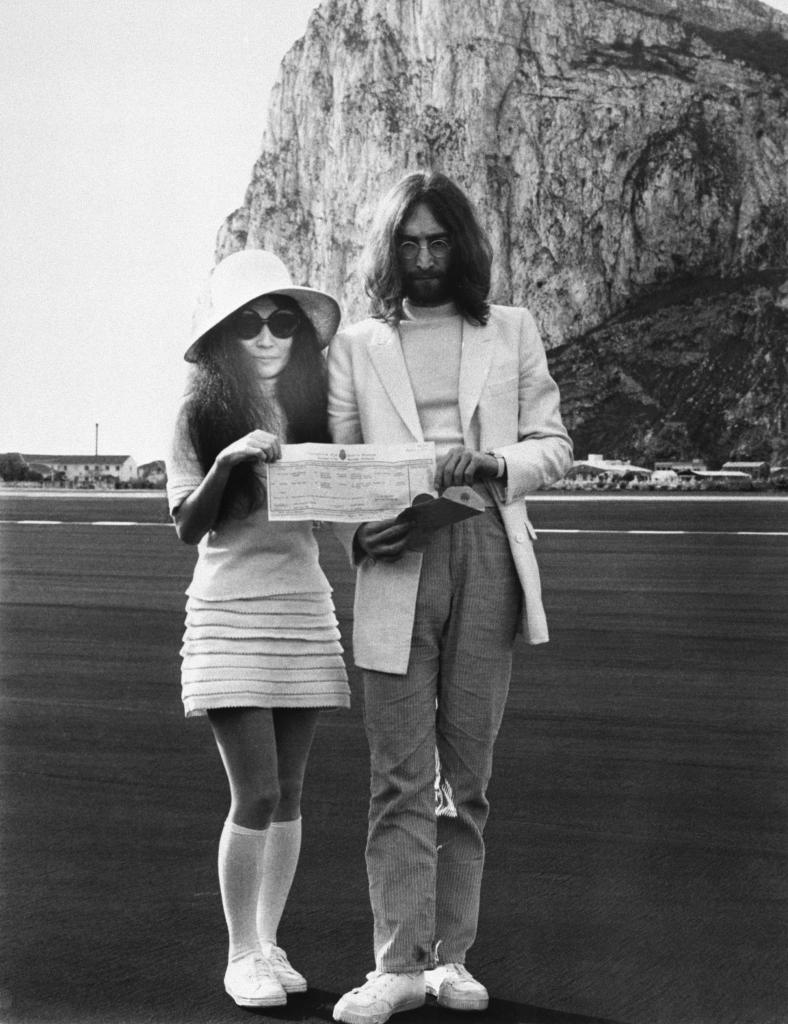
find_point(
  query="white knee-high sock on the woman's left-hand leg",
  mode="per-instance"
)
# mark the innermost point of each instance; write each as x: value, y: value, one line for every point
x: 242, y: 854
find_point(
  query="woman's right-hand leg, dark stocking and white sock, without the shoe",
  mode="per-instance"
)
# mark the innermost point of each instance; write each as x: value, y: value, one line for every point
x: 294, y: 730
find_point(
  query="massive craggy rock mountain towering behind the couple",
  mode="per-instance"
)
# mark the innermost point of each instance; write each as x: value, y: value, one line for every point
x: 625, y: 157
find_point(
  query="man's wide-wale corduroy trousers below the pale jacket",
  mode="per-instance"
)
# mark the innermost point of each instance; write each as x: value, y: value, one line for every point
x: 425, y: 872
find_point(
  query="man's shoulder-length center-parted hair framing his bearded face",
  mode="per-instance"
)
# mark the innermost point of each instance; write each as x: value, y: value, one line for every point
x: 471, y: 250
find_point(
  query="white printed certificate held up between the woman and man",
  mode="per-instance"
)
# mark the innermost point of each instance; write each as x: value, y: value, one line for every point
x: 348, y: 483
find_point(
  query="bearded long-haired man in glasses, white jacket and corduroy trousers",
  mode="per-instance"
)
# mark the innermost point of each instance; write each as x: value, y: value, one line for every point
x: 435, y: 620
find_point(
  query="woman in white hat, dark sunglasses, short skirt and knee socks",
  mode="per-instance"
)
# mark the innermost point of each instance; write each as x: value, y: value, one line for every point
x: 261, y: 651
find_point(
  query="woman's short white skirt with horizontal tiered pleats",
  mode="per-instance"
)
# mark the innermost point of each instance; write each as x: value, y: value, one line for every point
x: 277, y: 652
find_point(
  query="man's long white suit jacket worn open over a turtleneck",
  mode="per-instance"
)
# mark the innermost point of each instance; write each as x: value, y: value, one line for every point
x: 509, y: 405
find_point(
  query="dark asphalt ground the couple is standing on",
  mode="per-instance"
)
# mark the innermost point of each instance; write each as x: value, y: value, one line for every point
x: 637, y: 845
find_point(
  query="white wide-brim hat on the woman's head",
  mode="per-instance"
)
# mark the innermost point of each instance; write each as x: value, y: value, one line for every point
x: 249, y: 275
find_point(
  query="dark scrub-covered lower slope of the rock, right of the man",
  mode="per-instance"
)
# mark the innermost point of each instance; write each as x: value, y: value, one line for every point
x: 698, y: 369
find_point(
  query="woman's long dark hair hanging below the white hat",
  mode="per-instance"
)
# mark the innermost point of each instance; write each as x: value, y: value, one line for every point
x: 227, y: 402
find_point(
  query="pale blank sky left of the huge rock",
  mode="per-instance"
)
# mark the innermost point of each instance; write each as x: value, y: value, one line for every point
x: 129, y: 129
